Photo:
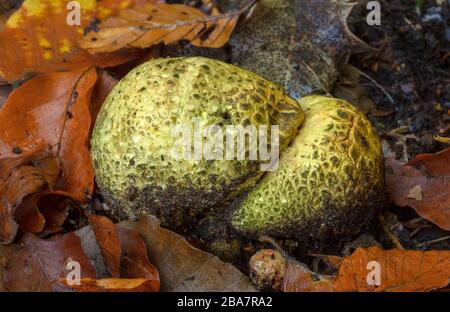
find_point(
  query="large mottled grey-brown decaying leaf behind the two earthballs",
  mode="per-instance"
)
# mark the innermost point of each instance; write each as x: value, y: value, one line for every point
x: 297, y: 44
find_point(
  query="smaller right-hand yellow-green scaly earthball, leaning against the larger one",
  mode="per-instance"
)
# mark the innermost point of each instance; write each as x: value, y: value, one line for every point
x: 328, y: 182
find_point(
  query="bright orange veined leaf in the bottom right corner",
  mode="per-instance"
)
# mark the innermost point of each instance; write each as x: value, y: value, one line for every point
x: 400, y: 270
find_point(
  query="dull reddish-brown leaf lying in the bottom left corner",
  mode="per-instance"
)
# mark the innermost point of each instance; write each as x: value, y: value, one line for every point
x: 38, y: 265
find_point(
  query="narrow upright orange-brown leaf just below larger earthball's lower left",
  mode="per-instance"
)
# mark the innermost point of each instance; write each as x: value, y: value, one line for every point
x: 108, y: 240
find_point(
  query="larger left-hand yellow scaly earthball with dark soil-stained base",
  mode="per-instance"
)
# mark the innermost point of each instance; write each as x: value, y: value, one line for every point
x: 132, y: 141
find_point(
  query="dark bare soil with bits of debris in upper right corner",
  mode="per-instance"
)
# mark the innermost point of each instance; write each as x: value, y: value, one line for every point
x: 412, y: 64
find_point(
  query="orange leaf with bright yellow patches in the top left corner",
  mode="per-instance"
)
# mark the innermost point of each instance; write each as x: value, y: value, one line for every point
x: 53, y: 43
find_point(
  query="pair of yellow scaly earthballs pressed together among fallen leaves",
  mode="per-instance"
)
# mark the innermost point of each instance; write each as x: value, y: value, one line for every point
x: 330, y: 175
